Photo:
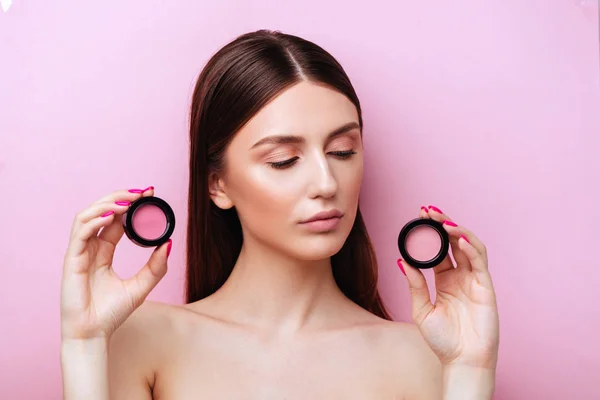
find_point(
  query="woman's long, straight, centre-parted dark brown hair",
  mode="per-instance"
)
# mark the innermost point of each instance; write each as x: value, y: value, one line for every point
x: 234, y: 85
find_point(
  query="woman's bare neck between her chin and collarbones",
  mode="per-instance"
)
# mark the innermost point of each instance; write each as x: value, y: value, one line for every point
x: 277, y: 293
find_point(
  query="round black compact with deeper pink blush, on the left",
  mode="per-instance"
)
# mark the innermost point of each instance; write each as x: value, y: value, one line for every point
x: 149, y: 221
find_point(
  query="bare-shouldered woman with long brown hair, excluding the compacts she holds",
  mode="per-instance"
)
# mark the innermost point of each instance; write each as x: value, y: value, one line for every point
x: 277, y: 307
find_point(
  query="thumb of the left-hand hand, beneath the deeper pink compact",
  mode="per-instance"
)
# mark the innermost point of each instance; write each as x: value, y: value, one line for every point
x: 140, y: 285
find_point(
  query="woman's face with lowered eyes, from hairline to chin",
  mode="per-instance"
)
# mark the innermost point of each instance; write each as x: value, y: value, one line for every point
x: 276, y: 183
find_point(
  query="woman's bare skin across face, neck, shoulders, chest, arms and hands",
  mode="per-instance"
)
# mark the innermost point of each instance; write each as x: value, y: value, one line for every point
x: 279, y: 327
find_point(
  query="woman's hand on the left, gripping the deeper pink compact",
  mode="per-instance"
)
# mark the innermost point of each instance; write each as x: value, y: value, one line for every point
x: 94, y: 300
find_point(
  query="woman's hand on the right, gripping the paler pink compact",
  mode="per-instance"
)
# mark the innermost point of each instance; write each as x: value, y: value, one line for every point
x: 462, y: 327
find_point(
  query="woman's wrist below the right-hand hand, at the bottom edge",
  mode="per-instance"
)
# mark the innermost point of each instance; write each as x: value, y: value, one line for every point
x: 466, y: 382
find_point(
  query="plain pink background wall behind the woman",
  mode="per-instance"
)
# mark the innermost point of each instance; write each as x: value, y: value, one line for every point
x: 488, y: 110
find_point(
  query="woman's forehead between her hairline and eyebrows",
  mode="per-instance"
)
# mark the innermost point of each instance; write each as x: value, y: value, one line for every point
x: 305, y: 109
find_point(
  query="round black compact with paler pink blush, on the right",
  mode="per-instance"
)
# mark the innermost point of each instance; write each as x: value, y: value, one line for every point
x: 423, y: 243
